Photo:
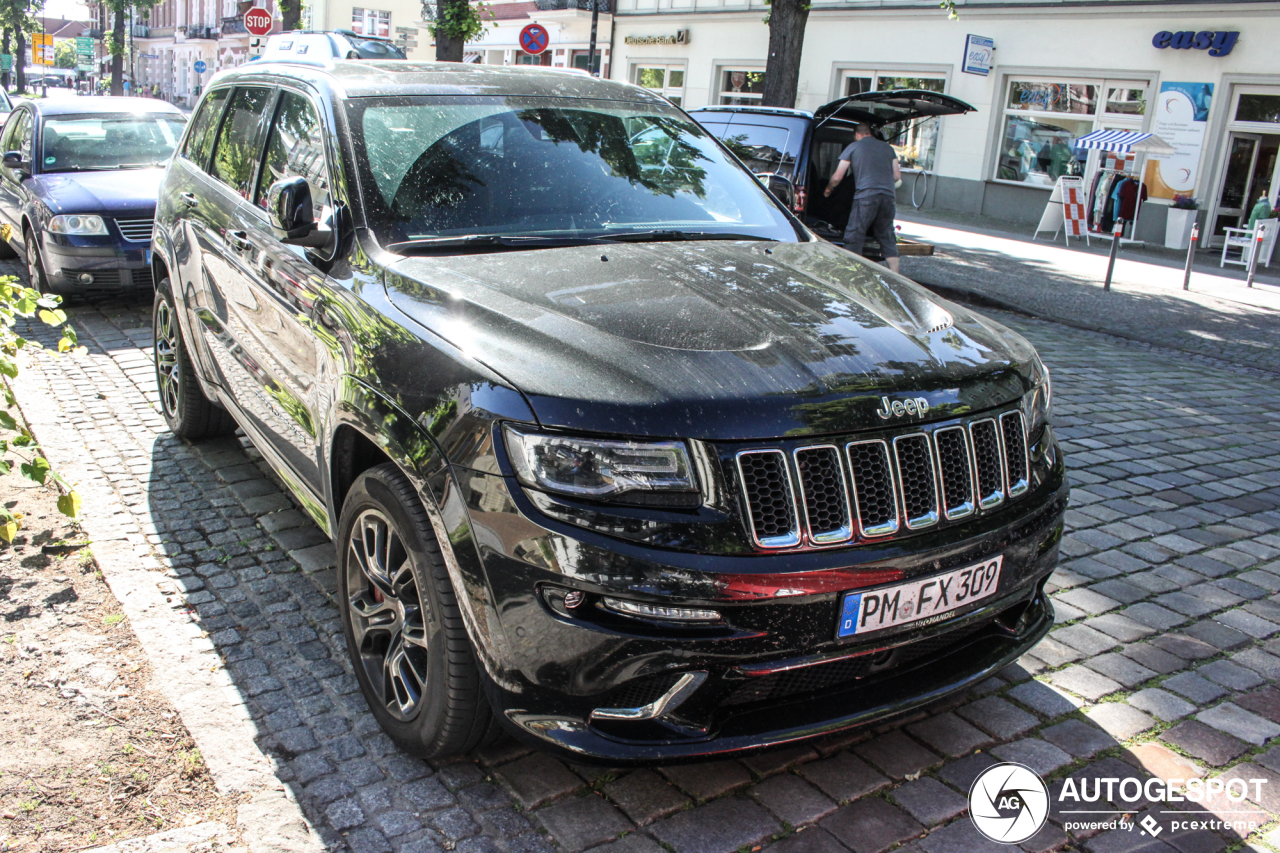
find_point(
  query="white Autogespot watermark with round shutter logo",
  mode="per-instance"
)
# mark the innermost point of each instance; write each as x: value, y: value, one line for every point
x: 1009, y: 804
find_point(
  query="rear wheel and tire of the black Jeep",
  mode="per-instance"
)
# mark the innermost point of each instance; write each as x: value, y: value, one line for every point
x: 184, y: 404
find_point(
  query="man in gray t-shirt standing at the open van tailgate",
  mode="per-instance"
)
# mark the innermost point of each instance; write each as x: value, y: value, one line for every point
x: 876, y: 175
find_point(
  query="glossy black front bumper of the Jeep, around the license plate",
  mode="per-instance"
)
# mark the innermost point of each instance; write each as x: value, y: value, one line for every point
x: 774, y: 673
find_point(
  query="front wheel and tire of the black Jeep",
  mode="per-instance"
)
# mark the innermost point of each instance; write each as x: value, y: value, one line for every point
x: 405, y: 632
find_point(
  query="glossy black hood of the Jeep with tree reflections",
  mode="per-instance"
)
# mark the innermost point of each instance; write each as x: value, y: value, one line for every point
x: 711, y: 340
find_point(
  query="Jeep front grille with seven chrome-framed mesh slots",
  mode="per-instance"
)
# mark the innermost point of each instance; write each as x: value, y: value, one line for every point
x: 828, y: 495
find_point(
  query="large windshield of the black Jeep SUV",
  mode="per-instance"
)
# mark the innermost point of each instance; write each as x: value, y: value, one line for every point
x: 525, y: 167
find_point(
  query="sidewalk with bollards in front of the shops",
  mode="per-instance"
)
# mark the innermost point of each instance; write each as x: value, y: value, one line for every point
x: 1219, y: 317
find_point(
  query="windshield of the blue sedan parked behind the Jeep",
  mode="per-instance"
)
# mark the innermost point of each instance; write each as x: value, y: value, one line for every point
x: 106, y: 142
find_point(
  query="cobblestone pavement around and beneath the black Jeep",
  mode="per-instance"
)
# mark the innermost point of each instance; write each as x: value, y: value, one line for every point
x: 1164, y: 663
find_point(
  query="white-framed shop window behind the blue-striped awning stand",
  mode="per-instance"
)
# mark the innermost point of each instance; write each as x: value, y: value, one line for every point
x: 1044, y: 117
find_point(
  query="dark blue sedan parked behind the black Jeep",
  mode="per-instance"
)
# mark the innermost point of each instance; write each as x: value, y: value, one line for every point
x: 79, y: 190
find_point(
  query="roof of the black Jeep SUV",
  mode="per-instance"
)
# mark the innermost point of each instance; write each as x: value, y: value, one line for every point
x: 371, y: 79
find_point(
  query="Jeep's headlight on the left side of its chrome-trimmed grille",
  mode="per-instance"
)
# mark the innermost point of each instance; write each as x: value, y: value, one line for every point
x: 652, y: 473
